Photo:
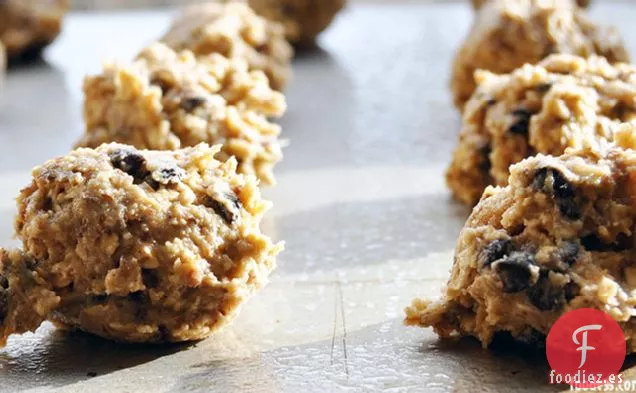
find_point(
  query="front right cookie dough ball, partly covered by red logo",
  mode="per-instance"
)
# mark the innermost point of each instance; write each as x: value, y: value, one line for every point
x: 560, y: 237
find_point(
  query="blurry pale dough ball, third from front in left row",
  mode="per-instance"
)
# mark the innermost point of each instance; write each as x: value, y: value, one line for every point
x: 234, y: 31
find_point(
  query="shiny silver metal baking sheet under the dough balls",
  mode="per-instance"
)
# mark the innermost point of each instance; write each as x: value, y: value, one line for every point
x: 361, y: 204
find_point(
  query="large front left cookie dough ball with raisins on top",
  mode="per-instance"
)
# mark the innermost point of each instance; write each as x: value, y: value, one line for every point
x: 137, y: 246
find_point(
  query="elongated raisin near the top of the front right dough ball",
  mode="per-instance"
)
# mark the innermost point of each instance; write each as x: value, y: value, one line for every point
x: 560, y: 189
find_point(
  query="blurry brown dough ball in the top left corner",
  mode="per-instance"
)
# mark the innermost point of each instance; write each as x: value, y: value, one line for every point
x: 28, y: 26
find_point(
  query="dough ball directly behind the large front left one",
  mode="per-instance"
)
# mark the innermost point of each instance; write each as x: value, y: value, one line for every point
x: 167, y: 100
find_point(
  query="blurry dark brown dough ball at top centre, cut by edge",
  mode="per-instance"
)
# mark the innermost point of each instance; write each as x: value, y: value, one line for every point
x: 303, y: 19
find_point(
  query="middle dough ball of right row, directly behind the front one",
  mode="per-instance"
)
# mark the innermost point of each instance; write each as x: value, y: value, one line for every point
x: 544, y: 108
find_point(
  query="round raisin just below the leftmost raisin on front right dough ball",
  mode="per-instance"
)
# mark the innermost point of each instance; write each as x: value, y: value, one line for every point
x: 516, y: 271
